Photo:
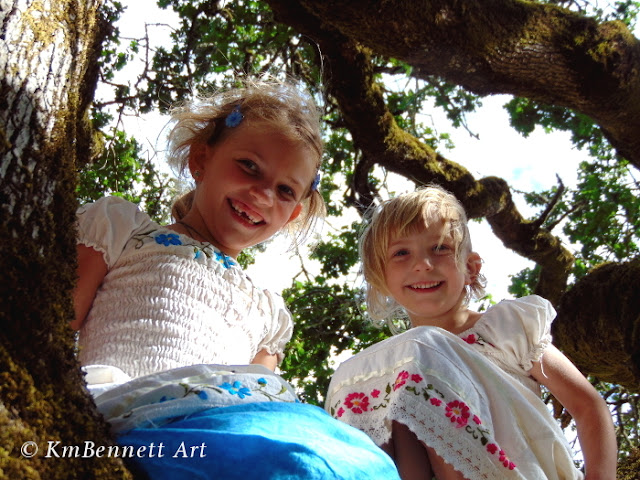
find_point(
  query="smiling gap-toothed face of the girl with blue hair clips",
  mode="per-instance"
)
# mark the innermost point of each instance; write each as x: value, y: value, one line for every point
x: 249, y: 186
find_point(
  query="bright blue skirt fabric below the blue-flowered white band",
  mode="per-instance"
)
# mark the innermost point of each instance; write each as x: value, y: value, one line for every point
x: 267, y: 440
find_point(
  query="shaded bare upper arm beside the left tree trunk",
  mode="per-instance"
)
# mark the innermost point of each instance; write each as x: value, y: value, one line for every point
x: 91, y: 271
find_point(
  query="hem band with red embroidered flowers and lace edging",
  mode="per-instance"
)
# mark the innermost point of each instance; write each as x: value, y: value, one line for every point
x: 438, y: 417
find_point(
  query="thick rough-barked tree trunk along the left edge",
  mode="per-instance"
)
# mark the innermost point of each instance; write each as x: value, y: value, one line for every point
x: 48, y: 73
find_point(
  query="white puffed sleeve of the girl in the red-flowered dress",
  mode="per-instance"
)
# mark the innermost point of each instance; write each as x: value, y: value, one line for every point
x: 519, y: 330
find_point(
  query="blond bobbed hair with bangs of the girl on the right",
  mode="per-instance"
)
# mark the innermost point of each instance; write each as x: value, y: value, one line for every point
x: 402, y: 216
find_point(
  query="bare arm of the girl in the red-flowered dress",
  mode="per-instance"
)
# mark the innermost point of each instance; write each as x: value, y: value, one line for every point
x: 588, y: 409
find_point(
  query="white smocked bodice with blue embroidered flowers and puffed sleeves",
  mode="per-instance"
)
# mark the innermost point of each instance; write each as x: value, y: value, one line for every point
x: 198, y: 306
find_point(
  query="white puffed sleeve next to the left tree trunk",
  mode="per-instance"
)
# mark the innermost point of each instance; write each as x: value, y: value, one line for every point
x: 107, y: 224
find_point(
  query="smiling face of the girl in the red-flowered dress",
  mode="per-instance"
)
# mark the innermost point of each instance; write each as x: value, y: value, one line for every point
x: 422, y: 275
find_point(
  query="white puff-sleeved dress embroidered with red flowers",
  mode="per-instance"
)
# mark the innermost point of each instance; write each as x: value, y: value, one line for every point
x: 468, y: 396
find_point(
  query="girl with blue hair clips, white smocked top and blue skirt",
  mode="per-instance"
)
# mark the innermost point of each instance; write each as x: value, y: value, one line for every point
x: 179, y: 345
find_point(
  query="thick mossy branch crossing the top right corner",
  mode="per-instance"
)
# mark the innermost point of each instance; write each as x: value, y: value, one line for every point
x: 526, y: 49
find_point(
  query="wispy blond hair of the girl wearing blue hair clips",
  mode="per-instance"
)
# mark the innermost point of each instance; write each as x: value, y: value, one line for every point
x: 271, y: 103
